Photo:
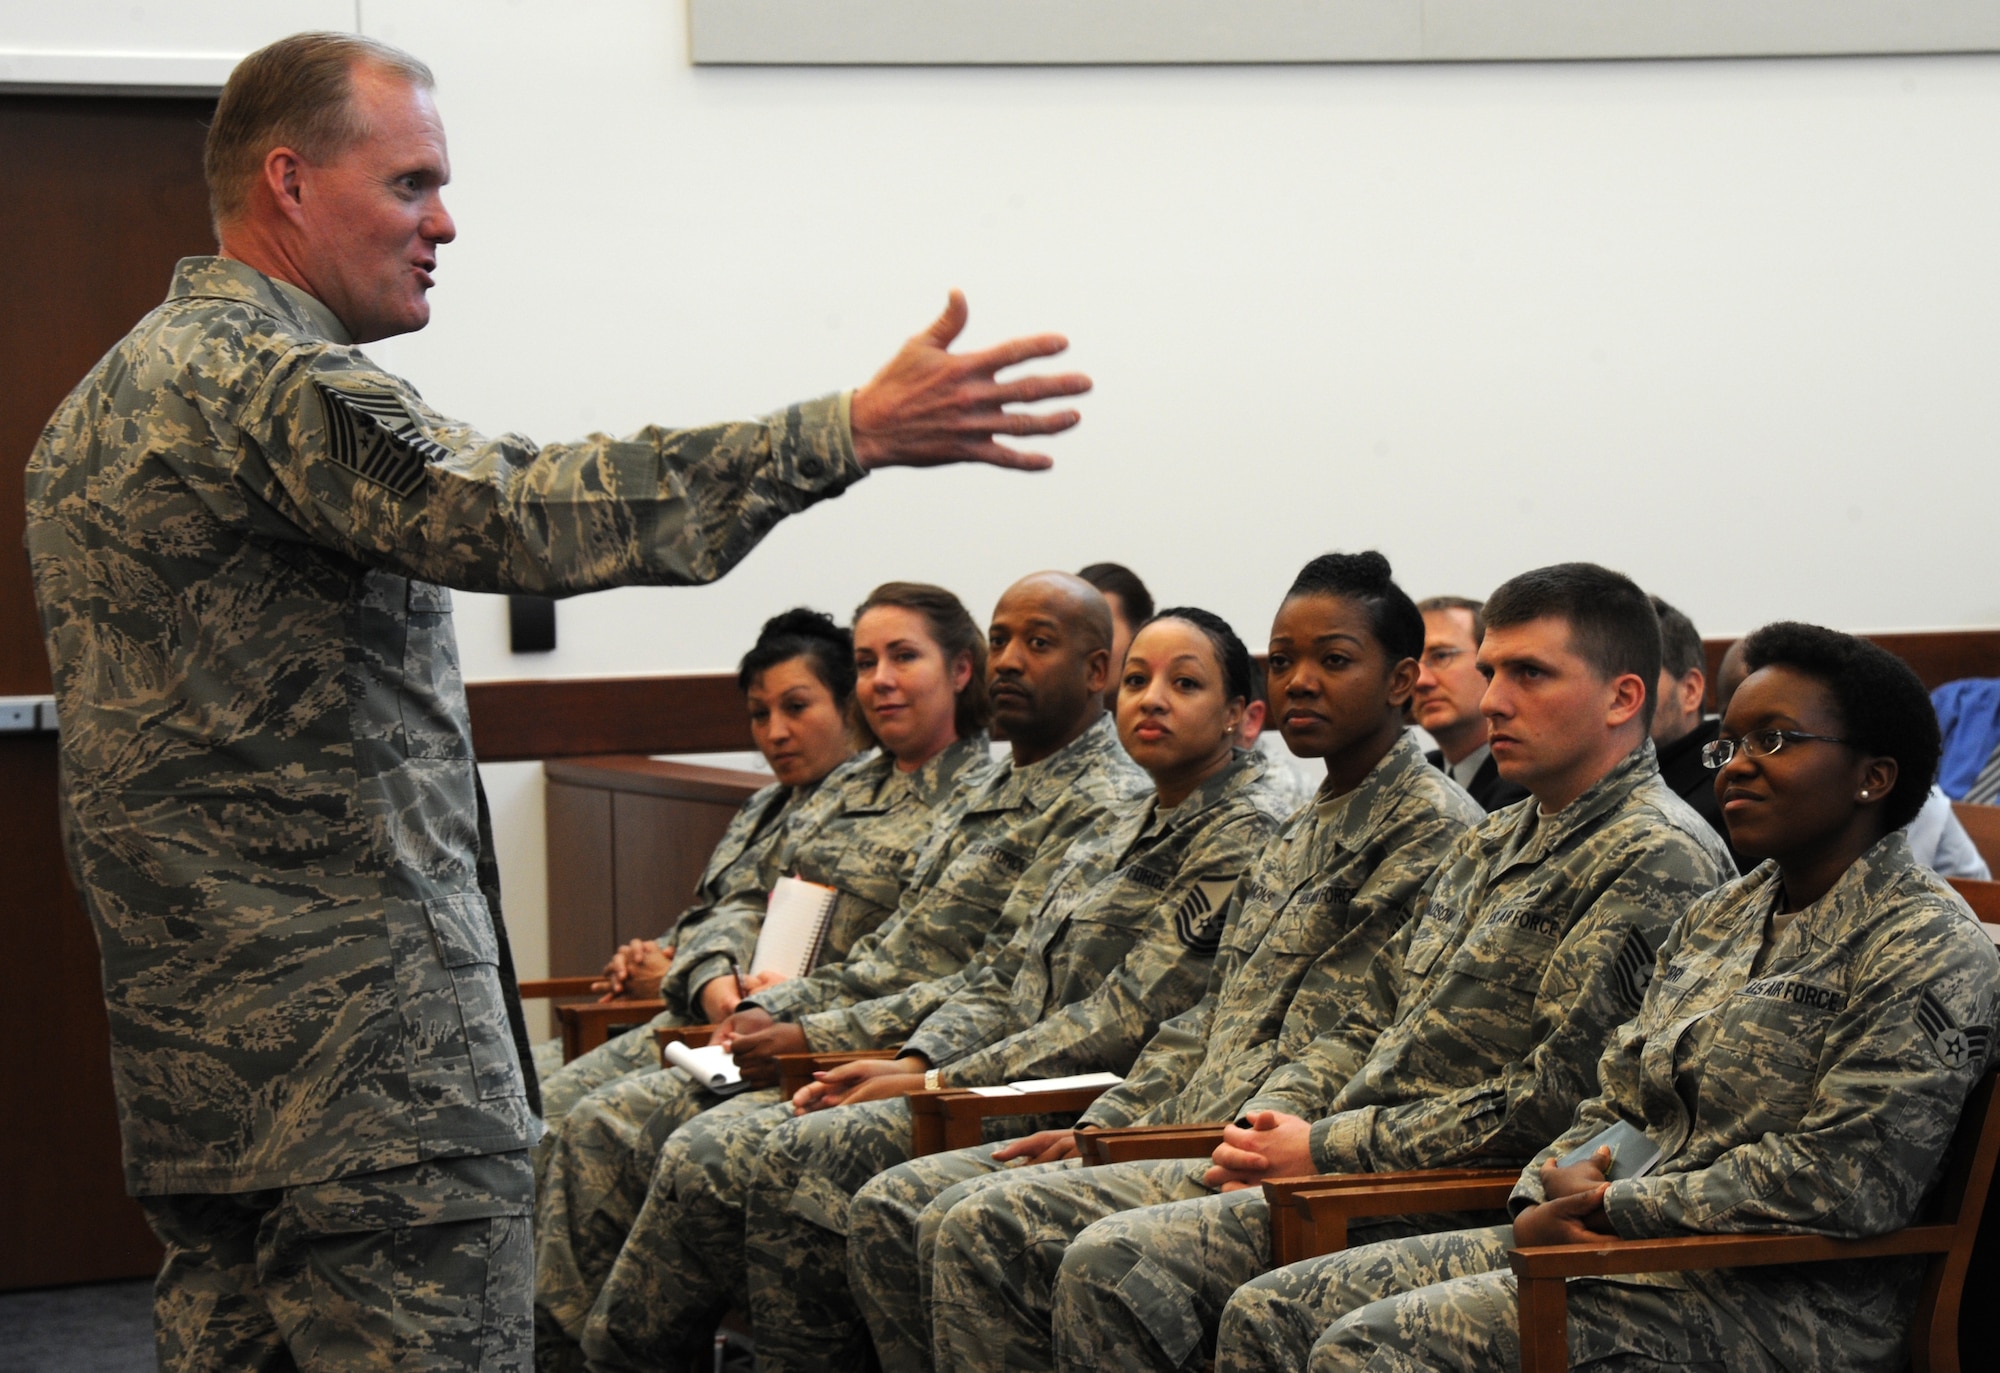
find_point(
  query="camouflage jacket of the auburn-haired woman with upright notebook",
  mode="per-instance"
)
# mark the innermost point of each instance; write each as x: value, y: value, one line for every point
x: 859, y: 834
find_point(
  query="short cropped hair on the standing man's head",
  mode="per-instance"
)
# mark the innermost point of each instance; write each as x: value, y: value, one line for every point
x: 297, y: 93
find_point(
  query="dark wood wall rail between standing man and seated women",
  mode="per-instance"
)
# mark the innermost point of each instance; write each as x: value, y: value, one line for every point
x: 589, y: 716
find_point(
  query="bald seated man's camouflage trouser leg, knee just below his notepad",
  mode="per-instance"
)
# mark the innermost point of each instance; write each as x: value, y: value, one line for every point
x: 681, y: 1264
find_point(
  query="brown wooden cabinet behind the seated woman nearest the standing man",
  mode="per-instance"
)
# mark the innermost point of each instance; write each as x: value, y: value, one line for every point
x: 627, y: 844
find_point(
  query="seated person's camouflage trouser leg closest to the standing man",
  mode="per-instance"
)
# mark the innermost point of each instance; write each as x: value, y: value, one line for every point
x: 591, y: 1184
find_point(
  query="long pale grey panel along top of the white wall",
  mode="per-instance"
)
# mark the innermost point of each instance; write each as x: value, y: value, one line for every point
x: 1007, y: 33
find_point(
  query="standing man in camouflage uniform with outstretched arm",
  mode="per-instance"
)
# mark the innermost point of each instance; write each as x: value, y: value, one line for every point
x: 243, y: 533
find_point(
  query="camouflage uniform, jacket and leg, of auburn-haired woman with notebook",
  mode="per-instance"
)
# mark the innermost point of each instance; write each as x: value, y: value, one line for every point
x: 859, y: 834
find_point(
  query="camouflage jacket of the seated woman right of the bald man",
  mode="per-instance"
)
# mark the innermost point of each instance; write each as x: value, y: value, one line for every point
x: 1125, y: 936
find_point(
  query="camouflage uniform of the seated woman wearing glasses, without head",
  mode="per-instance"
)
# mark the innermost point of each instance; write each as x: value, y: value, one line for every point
x: 1805, y: 1082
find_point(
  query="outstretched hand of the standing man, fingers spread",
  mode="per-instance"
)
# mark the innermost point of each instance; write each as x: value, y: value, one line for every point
x: 933, y: 407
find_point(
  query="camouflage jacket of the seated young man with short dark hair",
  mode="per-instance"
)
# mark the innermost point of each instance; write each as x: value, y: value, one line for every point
x: 1487, y: 1014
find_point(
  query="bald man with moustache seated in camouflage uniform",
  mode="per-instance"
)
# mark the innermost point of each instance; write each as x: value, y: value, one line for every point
x: 1047, y: 663
